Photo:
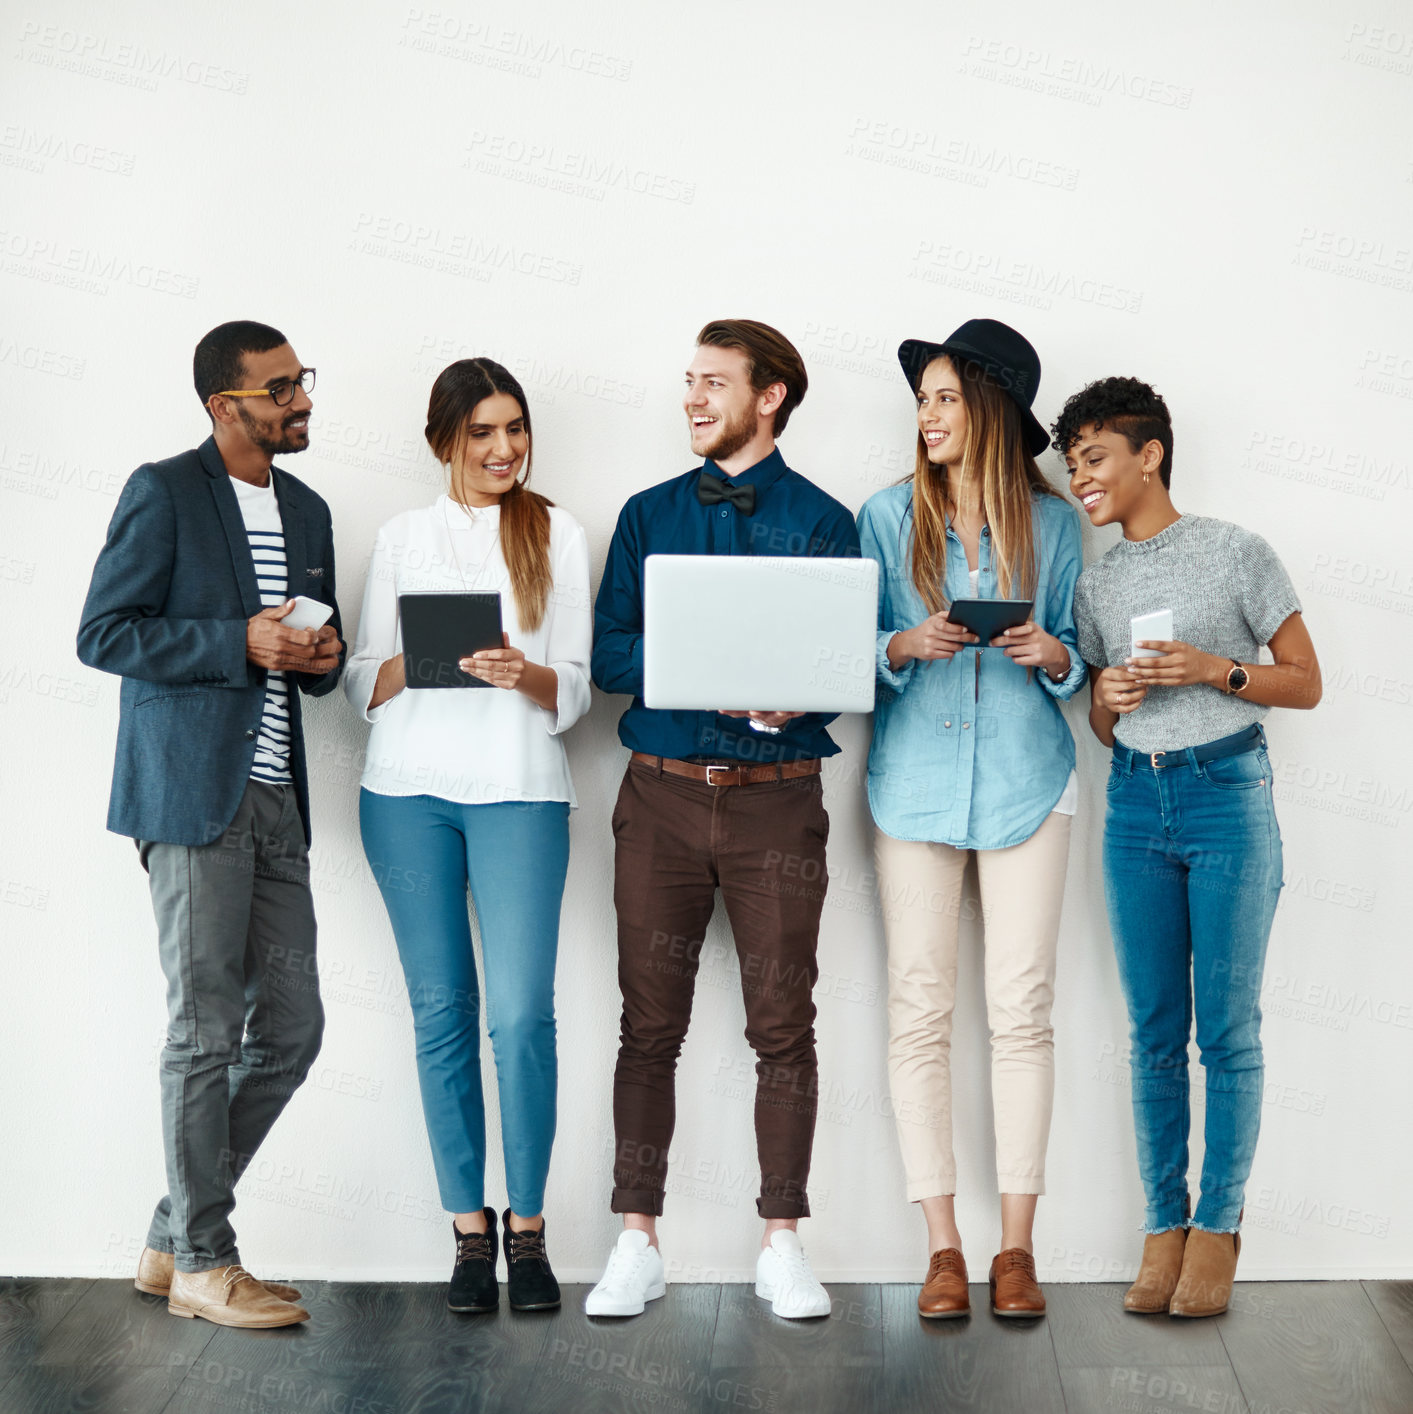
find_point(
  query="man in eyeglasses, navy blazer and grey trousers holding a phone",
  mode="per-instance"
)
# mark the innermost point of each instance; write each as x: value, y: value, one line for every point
x: 206, y: 556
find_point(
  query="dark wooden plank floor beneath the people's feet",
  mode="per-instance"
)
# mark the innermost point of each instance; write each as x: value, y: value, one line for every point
x: 1285, y: 1348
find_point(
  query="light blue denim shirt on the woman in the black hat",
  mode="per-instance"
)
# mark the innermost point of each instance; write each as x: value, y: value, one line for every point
x: 970, y: 756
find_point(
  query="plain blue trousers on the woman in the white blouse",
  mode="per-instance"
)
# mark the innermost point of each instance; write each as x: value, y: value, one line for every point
x: 425, y: 853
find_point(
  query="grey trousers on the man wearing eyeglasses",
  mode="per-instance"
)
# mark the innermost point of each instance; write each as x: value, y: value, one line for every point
x: 235, y: 934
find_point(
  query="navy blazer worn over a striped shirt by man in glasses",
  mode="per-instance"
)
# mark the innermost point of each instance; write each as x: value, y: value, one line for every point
x: 168, y: 610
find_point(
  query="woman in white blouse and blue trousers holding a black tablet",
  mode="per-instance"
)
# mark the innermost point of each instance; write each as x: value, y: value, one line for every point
x: 472, y: 790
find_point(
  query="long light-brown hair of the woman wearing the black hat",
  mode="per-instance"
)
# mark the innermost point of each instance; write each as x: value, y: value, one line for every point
x: 995, y: 453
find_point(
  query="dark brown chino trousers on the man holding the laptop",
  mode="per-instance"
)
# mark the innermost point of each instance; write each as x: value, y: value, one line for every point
x: 763, y: 846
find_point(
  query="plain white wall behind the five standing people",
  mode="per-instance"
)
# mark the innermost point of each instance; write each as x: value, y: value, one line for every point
x: 1219, y: 203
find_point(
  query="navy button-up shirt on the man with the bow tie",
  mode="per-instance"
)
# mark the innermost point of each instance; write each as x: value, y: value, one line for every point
x: 793, y: 517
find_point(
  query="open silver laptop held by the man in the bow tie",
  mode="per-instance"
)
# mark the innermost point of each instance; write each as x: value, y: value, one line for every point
x: 733, y: 633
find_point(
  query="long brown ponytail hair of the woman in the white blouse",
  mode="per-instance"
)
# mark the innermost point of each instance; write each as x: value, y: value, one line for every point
x: 458, y: 392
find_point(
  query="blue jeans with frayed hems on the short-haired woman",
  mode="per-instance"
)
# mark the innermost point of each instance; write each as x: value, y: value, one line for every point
x: 1192, y: 862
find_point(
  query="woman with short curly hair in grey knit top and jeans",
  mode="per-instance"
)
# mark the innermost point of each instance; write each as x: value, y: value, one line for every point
x: 1192, y: 848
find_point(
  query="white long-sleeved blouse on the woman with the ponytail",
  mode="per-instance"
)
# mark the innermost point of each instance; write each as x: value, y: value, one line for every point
x: 476, y: 746
